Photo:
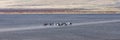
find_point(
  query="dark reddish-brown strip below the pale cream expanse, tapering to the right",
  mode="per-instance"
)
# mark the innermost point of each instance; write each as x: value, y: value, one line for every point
x: 40, y: 10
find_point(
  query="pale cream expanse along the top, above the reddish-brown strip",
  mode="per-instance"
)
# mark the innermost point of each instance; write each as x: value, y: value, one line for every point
x: 59, y: 3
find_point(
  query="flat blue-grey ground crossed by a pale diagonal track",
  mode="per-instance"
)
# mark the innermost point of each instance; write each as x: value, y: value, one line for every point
x: 89, y: 27
